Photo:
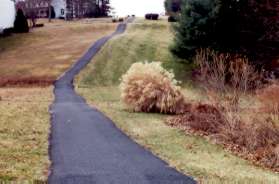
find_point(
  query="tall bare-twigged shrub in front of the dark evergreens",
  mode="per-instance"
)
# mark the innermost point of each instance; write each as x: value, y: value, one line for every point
x: 225, y: 77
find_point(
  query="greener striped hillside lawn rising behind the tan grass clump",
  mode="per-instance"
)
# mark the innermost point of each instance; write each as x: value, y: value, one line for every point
x: 138, y: 44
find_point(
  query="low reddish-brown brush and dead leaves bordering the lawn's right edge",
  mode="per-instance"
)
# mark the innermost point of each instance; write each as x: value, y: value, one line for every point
x: 255, y: 140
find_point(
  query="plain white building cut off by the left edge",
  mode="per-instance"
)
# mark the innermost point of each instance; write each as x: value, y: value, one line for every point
x: 7, y: 14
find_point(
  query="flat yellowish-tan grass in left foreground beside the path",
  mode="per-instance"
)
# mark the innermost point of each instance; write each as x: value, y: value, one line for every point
x: 24, y: 129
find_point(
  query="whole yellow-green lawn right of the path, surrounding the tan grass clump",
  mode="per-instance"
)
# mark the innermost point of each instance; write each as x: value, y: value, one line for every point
x: 193, y: 155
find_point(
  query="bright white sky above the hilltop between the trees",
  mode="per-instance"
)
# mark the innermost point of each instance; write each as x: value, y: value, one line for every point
x: 137, y: 7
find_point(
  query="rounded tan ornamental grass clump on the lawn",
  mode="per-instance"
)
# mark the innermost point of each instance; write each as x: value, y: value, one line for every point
x: 148, y: 87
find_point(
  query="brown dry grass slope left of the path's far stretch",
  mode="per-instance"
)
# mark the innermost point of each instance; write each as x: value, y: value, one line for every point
x: 40, y: 56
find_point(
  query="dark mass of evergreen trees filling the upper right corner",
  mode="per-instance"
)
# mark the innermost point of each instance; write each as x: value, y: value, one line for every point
x: 245, y: 27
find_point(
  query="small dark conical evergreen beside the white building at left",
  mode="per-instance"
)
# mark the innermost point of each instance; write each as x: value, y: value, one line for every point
x: 20, y: 24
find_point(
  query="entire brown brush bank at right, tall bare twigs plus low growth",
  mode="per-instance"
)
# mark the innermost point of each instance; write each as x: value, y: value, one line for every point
x: 226, y: 80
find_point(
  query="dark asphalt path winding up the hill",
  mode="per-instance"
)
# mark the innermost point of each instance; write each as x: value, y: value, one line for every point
x: 87, y: 148
